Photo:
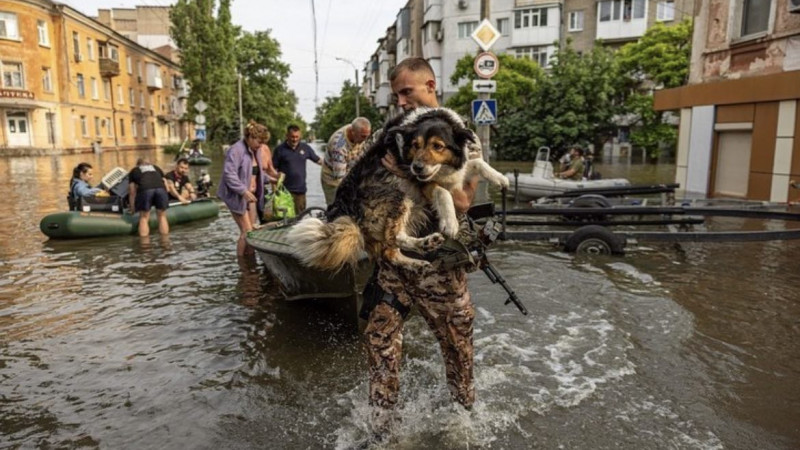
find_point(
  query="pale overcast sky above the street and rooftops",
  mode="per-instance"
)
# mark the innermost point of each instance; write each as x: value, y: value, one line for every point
x: 345, y: 28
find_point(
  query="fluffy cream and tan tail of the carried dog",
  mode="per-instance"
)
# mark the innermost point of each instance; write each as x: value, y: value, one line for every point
x: 327, y: 246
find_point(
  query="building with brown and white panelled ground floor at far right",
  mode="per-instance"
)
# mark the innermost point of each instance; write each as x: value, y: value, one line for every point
x: 739, y: 121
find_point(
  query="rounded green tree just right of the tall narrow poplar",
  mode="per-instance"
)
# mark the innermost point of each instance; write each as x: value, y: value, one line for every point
x: 265, y: 96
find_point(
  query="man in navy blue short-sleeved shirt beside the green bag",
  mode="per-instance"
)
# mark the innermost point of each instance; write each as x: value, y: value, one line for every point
x: 290, y: 158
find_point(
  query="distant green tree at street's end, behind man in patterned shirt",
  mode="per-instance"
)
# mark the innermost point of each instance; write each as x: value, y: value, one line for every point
x: 335, y: 112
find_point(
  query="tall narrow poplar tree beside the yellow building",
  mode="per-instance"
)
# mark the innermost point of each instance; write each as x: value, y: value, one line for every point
x: 208, y: 64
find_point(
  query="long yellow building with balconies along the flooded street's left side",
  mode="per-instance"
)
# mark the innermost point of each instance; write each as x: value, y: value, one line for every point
x: 70, y: 83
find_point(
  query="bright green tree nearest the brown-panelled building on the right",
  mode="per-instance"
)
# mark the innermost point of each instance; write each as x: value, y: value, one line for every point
x: 659, y: 60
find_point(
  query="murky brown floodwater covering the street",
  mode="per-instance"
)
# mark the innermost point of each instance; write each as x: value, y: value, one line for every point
x: 119, y: 343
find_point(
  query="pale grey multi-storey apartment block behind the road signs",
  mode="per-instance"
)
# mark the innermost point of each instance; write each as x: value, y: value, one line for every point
x: 529, y: 28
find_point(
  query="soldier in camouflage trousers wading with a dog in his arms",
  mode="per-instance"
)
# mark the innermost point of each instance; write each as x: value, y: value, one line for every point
x: 440, y: 294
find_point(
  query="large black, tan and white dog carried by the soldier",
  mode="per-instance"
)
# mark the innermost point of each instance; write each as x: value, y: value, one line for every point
x: 378, y: 212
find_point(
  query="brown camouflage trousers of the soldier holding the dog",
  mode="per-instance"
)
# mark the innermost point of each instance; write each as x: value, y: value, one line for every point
x: 442, y: 299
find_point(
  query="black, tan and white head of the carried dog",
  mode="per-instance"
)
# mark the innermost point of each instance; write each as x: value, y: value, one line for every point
x: 431, y: 146
